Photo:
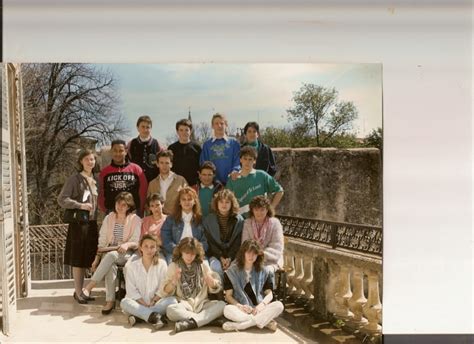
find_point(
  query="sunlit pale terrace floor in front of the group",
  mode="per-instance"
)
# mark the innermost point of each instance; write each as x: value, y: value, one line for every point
x: 49, y: 314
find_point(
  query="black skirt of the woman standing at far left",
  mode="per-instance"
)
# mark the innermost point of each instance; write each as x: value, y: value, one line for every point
x: 81, y: 244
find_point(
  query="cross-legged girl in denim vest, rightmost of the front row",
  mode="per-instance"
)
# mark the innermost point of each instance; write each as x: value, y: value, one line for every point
x: 248, y: 290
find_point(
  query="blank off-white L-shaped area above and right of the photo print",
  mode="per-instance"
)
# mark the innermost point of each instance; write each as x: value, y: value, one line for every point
x: 426, y: 52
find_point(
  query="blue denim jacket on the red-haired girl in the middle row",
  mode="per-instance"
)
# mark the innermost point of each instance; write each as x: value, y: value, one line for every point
x: 171, y: 233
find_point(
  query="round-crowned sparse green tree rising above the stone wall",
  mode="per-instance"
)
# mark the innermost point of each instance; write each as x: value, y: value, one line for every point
x: 318, y: 112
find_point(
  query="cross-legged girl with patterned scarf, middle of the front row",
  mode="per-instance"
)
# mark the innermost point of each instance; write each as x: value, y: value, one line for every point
x: 190, y: 280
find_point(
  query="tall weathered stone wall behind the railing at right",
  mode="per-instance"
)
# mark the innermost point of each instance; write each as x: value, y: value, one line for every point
x: 343, y: 185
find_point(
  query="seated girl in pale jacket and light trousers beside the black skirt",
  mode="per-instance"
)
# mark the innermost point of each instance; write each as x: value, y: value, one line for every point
x: 118, y: 238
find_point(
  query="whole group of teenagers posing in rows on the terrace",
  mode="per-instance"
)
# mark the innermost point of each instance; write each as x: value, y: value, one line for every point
x: 193, y: 228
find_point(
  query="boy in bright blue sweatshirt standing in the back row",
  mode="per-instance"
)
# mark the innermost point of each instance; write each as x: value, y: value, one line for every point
x: 221, y: 150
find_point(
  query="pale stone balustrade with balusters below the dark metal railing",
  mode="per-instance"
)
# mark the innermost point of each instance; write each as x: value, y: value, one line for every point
x: 335, y: 283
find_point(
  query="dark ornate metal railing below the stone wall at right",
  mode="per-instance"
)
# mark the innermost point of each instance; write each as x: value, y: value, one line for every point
x: 360, y: 238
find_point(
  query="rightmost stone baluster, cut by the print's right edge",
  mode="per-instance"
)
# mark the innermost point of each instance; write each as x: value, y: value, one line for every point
x: 373, y: 307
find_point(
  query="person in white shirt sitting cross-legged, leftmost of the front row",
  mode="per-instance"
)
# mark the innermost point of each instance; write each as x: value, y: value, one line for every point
x: 143, y: 278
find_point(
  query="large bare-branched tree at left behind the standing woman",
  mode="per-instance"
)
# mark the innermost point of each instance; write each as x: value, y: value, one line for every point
x: 66, y: 106
